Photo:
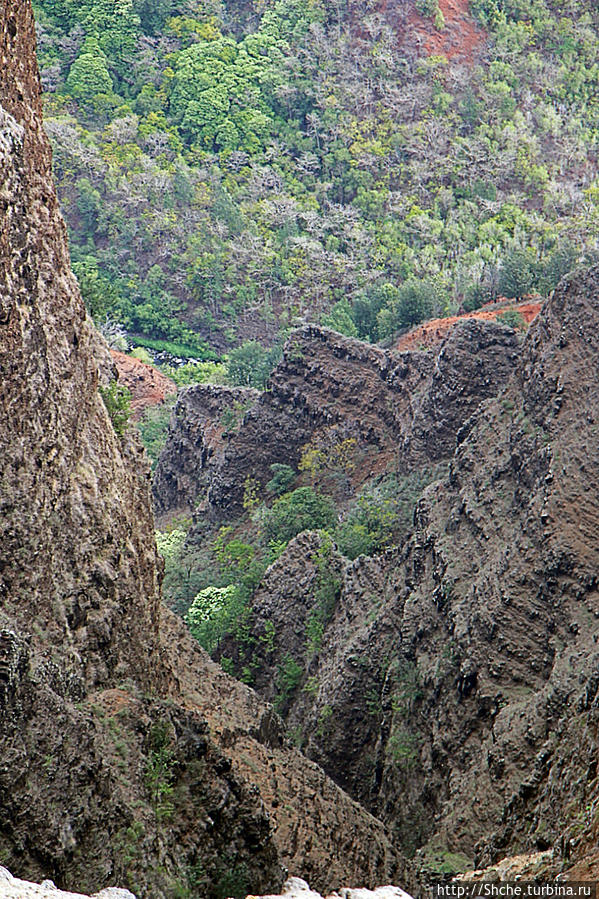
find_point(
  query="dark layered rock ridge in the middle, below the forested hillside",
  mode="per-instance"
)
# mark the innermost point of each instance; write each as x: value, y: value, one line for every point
x: 327, y: 389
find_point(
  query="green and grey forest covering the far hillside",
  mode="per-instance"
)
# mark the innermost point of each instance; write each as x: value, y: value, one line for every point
x: 228, y: 169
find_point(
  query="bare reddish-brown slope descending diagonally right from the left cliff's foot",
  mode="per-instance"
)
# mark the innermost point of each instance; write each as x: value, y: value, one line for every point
x: 319, y: 829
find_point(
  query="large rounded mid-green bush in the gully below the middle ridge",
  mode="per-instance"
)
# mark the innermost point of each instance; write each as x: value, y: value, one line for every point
x: 302, y: 510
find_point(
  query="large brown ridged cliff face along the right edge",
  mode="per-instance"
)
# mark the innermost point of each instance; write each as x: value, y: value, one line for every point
x: 463, y: 664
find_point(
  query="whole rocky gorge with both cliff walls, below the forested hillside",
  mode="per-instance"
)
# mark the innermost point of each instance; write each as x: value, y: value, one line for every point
x: 397, y: 553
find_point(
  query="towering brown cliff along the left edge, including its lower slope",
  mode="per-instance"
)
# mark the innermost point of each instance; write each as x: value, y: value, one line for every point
x: 113, y: 768
